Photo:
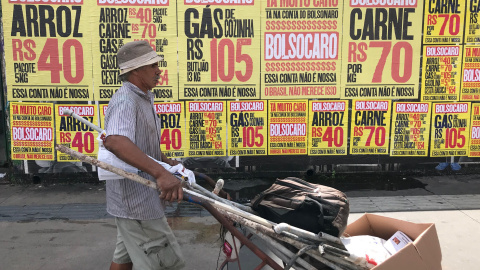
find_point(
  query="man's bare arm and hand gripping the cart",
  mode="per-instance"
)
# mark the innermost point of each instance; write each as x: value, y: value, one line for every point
x: 127, y: 151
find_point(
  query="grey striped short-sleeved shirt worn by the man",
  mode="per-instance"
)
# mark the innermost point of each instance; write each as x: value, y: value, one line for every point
x: 130, y: 113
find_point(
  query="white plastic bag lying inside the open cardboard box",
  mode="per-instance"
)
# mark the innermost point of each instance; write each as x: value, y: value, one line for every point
x: 368, y: 248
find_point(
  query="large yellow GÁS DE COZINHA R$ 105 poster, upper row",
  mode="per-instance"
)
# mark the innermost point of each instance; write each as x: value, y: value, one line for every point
x: 219, y: 44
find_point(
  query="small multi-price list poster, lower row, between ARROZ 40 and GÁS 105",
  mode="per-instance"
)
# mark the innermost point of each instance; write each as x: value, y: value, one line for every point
x: 206, y: 123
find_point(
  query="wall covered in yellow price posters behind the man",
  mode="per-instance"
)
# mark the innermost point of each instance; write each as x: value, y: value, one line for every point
x: 251, y: 78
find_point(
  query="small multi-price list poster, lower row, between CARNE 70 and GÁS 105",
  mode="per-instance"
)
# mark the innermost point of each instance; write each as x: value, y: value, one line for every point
x: 410, y: 128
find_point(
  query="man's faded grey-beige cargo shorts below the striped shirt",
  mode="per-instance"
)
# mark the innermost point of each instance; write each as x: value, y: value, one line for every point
x: 148, y: 244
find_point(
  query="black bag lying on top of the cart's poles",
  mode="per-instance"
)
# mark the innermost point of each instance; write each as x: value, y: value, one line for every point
x: 308, y: 206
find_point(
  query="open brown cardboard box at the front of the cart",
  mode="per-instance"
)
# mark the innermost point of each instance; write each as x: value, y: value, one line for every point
x: 422, y: 254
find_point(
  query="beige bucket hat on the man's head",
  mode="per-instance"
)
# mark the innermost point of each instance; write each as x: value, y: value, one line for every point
x: 136, y: 54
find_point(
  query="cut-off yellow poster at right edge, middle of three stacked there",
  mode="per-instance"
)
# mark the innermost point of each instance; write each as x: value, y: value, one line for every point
x: 471, y: 73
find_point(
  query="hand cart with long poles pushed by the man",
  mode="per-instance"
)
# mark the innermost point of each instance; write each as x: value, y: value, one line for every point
x: 295, y: 247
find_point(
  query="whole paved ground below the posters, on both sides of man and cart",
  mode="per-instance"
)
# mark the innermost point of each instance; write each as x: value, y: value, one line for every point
x: 67, y: 227
